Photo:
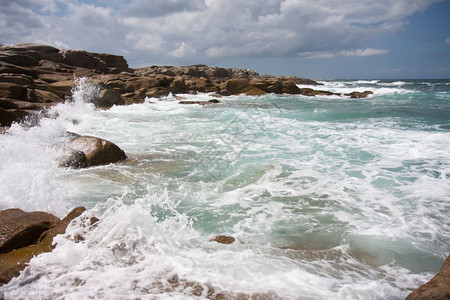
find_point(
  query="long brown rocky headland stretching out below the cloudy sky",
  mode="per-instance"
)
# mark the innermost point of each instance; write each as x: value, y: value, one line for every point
x: 34, y: 77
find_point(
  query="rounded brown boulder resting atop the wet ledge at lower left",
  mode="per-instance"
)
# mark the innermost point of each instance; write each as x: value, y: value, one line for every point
x: 20, y: 228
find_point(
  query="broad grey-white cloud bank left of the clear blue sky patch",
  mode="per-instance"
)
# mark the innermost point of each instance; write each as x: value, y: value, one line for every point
x: 165, y: 29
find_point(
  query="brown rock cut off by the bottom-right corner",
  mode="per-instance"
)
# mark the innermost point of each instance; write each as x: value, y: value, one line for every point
x: 438, y: 288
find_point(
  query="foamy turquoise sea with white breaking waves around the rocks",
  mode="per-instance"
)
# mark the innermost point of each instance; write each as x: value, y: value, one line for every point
x: 327, y: 197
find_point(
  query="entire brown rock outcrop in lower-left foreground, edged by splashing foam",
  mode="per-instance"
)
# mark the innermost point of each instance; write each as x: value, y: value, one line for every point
x: 45, y: 226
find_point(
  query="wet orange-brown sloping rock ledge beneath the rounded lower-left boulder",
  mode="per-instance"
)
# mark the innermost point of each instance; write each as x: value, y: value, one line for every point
x: 13, y: 262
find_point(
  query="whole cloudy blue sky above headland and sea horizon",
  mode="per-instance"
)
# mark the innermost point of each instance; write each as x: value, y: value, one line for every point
x: 320, y: 39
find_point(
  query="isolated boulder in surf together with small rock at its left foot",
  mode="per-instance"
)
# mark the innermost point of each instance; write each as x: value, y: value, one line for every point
x: 96, y: 152
